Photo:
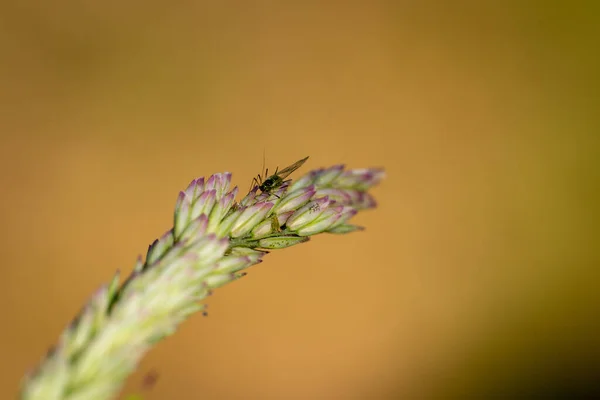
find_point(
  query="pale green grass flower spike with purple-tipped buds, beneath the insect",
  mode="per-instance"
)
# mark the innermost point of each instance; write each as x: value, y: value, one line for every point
x: 214, y: 240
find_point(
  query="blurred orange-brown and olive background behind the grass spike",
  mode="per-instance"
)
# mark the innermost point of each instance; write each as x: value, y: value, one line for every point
x: 477, y: 274
